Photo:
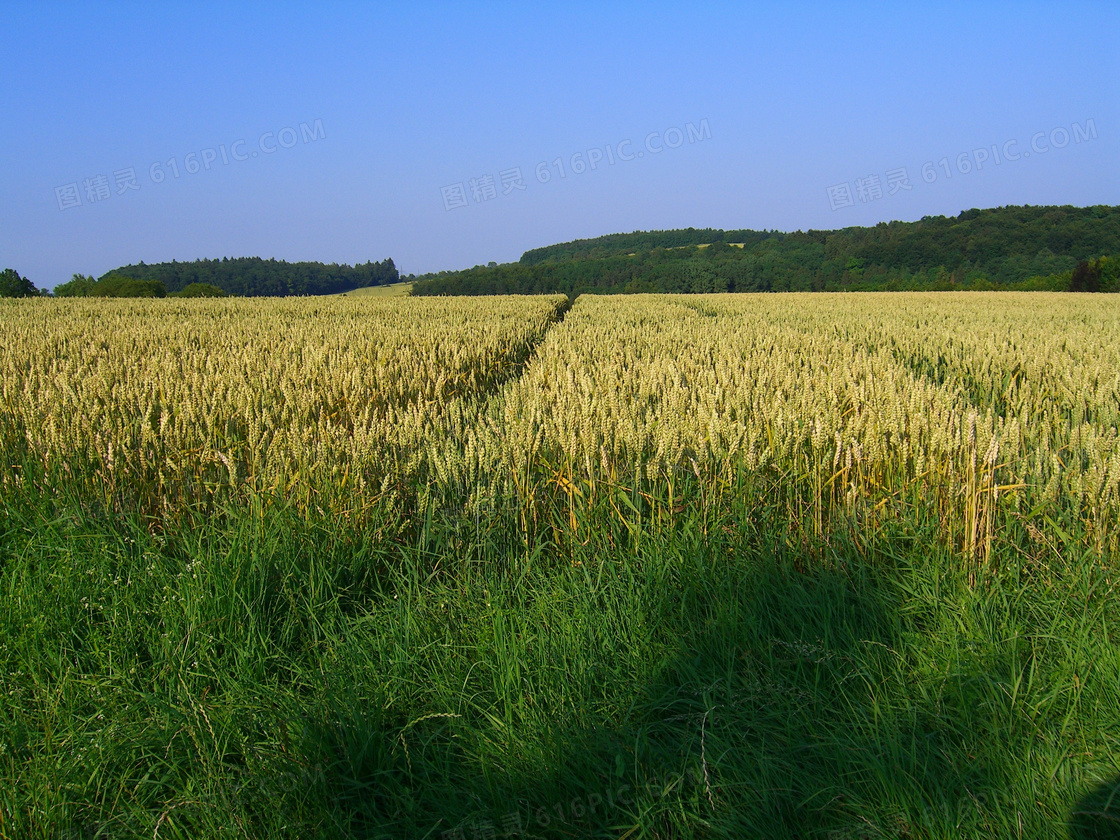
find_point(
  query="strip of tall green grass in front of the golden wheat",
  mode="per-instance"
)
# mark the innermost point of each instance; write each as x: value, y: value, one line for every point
x: 263, y: 676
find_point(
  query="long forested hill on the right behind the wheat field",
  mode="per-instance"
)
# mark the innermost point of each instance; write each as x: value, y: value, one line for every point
x: 1007, y: 248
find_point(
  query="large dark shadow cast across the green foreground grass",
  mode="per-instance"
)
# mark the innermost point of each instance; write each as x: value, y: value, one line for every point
x: 787, y: 710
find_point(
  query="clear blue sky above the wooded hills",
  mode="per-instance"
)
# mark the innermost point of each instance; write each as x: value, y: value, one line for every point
x: 393, y: 107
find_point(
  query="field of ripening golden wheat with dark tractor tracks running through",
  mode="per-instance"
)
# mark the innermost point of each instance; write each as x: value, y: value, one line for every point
x: 969, y: 404
